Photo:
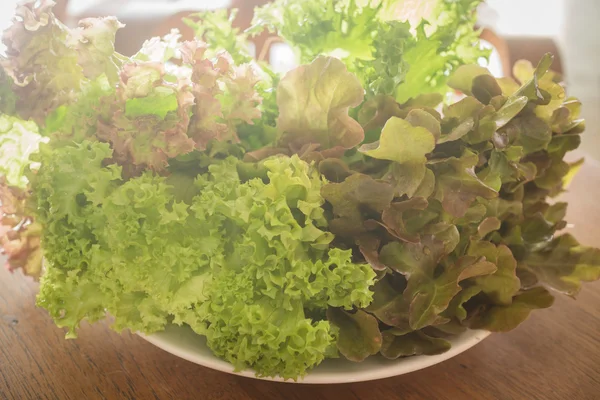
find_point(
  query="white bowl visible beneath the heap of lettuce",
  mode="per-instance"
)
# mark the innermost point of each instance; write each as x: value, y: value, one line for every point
x: 183, y: 342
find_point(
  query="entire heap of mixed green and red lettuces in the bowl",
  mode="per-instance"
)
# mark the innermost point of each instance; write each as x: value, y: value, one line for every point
x: 346, y: 209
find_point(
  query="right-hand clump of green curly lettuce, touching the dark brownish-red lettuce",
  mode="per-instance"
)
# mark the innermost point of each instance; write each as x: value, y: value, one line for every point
x: 278, y: 241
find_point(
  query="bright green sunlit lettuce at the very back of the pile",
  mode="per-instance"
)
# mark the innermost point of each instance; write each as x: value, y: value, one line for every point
x: 393, y: 48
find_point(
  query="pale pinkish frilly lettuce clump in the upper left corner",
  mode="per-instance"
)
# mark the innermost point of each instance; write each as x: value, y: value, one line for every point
x: 49, y: 63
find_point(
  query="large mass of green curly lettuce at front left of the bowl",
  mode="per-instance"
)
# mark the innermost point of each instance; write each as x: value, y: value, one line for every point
x: 246, y: 263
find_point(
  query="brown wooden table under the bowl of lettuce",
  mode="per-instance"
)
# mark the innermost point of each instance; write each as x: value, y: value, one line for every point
x: 554, y: 355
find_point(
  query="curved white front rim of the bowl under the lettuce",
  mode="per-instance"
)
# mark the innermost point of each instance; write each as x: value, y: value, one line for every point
x: 402, y: 366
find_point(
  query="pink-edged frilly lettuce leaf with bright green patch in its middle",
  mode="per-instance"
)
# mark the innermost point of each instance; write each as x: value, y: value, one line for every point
x: 149, y: 120
